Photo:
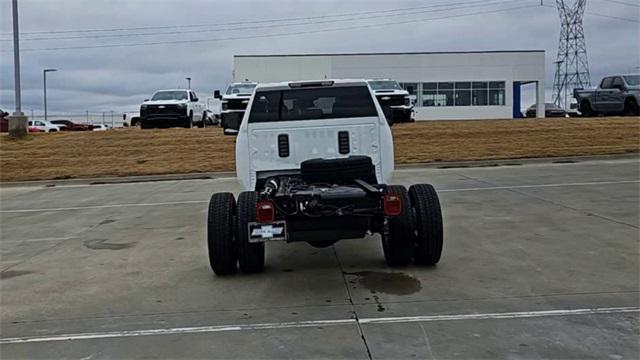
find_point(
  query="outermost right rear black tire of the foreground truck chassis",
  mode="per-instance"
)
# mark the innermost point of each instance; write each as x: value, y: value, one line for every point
x: 429, y: 233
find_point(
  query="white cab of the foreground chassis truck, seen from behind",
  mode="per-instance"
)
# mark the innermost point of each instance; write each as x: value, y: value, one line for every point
x: 314, y: 120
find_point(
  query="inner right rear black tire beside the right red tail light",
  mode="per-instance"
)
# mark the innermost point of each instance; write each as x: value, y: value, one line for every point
x: 397, y: 244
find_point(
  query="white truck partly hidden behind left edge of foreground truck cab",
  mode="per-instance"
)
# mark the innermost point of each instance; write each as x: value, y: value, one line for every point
x: 233, y: 105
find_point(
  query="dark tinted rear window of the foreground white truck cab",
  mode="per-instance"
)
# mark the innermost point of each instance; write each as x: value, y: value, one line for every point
x: 312, y: 104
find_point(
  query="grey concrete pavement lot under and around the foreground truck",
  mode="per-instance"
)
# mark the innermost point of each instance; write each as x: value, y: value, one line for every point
x: 540, y: 261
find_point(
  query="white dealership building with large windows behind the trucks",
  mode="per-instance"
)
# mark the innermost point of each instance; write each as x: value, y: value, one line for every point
x: 445, y: 85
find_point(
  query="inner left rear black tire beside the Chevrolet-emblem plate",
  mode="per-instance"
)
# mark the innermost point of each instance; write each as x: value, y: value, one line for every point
x: 250, y: 255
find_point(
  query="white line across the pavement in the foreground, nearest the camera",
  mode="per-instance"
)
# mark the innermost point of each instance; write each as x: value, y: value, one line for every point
x: 317, y: 323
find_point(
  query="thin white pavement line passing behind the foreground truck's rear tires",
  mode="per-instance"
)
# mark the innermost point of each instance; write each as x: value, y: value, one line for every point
x: 488, y: 188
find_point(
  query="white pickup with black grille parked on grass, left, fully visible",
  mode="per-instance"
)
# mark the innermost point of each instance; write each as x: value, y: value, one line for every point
x: 177, y: 107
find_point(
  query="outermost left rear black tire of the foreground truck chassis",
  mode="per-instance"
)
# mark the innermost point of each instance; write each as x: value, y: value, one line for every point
x: 221, y: 234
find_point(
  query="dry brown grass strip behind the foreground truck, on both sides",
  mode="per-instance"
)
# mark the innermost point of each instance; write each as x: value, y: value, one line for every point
x: 133, y: 151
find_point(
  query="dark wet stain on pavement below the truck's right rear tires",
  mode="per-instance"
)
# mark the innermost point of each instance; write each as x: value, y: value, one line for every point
x: 395, y: 283
